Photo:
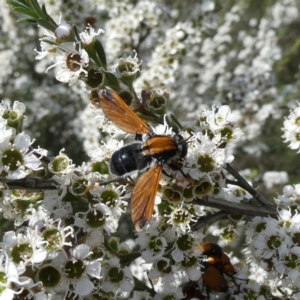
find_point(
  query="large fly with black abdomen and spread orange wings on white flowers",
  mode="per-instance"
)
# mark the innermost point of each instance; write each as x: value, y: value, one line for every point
x: 139, y: 156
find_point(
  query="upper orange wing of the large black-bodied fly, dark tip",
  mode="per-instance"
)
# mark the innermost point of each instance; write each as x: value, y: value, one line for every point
x: 120, y: 113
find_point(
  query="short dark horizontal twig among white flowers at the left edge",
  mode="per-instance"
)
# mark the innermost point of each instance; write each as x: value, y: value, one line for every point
x: 30, y: 183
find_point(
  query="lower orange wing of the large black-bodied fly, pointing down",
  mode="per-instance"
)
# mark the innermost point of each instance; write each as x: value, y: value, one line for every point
x: 143, y: 197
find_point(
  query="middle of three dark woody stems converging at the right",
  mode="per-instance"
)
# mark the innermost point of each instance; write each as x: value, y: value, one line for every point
x: 236, y: 208
